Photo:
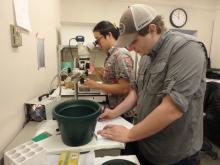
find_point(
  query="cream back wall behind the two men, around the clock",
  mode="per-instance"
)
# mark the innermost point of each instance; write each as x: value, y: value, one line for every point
x: 201, y: 14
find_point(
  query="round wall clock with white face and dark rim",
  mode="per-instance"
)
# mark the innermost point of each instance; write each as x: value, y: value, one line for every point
x: 178, y: 17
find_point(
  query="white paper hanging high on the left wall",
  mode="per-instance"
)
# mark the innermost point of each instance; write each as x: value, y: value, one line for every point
x: 21, y: 14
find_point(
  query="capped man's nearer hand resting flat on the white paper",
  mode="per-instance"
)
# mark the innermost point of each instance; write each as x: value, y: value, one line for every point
x: 115, y: 132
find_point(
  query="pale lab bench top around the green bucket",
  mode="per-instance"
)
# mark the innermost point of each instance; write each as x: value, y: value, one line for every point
x: 104, y: 149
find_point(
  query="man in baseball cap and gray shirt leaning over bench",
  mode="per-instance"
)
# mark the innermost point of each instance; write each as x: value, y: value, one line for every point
x: 168, y: 93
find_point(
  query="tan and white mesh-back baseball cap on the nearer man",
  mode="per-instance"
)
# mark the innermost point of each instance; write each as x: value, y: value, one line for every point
x: 132, y: 20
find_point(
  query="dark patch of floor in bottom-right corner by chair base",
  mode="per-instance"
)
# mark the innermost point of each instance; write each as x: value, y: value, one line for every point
x: 207, y: 159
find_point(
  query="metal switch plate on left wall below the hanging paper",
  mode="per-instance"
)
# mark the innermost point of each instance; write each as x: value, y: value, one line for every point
x: 16, y: 39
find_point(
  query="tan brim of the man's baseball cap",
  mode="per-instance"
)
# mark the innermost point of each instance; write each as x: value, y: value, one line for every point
x: 125, y: 40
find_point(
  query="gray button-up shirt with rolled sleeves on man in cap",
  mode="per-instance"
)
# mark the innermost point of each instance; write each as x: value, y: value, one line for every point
x: 176, y: 67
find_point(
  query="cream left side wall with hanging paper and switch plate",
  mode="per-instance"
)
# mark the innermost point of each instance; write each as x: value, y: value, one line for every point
x: 20, y: 78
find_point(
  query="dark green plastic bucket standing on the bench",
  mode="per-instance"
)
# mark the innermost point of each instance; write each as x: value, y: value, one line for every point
x: 77, y: 120
